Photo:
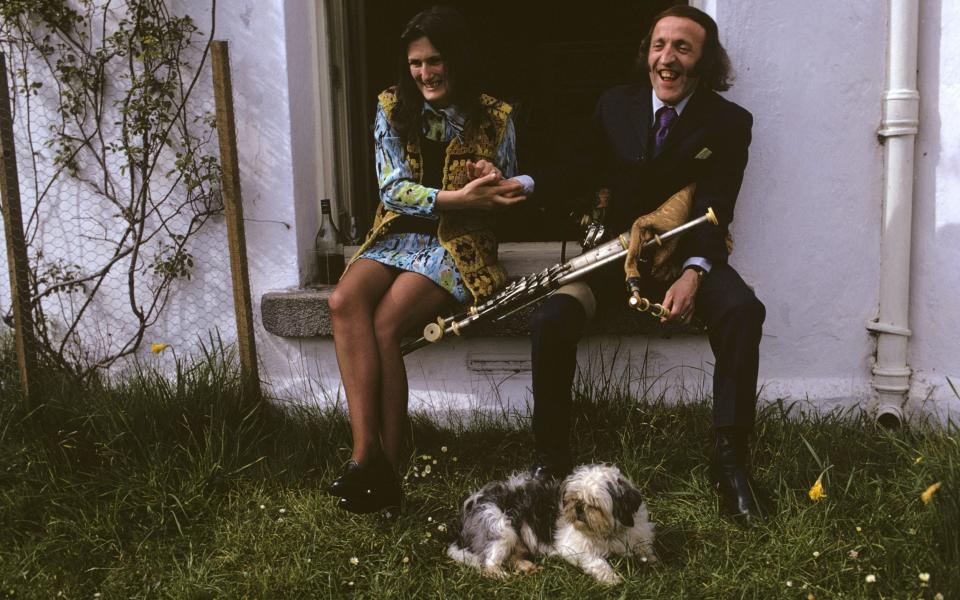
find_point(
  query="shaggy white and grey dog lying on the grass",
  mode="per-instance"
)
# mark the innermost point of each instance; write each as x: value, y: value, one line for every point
x: 594, y: 513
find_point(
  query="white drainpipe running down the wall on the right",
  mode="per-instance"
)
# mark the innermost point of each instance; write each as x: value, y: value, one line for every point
x: 891, y: 373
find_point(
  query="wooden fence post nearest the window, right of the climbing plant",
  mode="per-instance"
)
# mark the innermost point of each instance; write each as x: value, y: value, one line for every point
x: 233, y: 210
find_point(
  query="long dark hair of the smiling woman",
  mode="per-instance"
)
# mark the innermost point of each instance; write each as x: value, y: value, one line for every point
x: 448, y: 32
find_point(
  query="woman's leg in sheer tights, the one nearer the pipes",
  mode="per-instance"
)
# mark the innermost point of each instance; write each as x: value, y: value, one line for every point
x: 411, y: 301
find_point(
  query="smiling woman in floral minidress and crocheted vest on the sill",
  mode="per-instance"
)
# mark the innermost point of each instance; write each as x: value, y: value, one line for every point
x: 430, y: 239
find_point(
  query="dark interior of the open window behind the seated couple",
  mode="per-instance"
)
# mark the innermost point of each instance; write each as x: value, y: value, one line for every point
x: 550, y: 60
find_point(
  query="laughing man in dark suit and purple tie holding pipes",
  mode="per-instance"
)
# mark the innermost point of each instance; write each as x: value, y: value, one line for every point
x: 648, y: 141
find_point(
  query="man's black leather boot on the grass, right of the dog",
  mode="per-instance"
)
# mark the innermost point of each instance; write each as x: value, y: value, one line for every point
x: 730, y: 472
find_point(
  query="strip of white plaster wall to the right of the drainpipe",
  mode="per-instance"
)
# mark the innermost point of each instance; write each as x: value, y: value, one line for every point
x: 934, y: 305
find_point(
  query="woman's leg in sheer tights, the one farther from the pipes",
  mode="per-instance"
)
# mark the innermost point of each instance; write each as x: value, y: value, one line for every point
x: 353, y: 304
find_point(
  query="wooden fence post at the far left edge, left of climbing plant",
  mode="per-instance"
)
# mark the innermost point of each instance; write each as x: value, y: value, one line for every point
x: 16, y: 245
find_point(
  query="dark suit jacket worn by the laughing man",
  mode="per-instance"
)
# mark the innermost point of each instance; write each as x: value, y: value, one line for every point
x: 707, y: 144
